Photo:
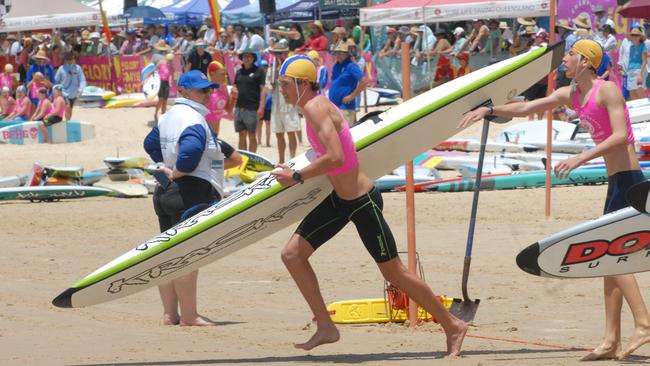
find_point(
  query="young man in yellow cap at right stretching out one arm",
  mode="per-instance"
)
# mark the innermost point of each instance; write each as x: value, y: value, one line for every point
x: 603, y: 112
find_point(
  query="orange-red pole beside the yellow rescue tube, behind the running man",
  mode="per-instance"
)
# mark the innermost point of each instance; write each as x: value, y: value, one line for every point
x: 410, y: 191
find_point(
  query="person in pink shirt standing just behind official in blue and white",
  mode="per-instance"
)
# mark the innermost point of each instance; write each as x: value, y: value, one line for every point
x: 221, y: 103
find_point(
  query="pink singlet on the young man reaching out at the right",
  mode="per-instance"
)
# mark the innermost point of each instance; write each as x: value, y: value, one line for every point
x: 595, y: 118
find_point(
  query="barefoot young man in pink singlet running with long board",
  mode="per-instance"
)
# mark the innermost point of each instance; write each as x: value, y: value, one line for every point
x: 354, y: 198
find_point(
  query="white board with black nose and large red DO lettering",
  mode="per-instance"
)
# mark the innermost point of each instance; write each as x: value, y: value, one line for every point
x: 613, y: 244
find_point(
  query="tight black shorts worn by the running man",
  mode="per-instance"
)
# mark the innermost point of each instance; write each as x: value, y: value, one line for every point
x: 328, y: 218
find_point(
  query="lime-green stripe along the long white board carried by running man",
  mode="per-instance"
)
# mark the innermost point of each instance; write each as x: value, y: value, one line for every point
x: 273, y: 190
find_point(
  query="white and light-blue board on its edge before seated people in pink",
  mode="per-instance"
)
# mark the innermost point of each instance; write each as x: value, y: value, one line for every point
x: 62, y: 132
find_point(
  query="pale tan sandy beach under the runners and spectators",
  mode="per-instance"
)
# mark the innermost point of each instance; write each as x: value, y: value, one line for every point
x: 522, y: 319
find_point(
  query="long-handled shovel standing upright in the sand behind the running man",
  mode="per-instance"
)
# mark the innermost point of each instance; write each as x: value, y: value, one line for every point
x: 466, y: 309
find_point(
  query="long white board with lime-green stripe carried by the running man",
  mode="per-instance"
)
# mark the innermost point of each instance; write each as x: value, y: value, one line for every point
x: 383, y: 142
